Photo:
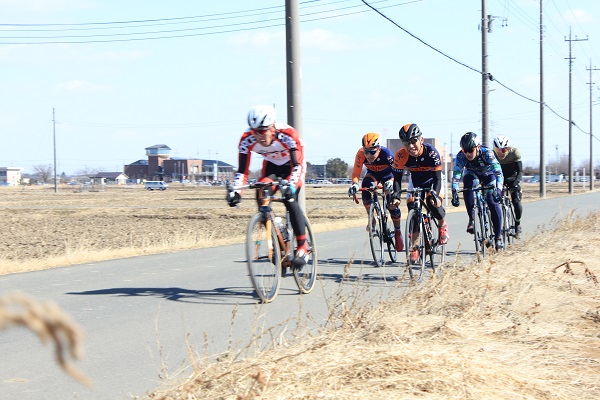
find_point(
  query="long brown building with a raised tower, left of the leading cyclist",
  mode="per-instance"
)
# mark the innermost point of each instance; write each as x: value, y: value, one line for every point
x: 160, y: 166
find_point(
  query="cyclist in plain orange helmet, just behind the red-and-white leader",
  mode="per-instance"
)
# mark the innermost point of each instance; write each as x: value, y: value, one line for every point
x: 377, y: 159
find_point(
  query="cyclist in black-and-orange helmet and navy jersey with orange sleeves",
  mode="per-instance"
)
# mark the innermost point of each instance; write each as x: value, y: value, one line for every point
x: 424, y: 163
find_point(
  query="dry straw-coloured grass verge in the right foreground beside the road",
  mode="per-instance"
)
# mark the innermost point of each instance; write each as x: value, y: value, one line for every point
x: 524, y: 324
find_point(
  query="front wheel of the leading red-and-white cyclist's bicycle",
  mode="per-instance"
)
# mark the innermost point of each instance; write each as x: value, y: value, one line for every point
x: 264, y: 259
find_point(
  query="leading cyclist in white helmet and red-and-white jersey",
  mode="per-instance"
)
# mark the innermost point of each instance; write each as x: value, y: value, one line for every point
x: 283, y: 158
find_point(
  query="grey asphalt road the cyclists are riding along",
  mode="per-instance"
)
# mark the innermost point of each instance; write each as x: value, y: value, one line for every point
x: 142, y: 315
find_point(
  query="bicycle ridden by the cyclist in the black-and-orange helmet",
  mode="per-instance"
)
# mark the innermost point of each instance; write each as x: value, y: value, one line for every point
x: 422, y: 236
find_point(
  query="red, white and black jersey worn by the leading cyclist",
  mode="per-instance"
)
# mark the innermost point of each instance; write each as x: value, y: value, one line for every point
x: 284, y: 154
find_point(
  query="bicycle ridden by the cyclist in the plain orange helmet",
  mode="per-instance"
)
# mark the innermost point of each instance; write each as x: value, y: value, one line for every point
x: 381, y: 229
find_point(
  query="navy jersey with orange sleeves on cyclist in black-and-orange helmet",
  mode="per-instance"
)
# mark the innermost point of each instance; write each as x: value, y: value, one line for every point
x: 425, y: 169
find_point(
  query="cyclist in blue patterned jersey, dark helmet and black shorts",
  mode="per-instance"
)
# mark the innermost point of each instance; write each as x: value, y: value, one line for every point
x: 479, y: 164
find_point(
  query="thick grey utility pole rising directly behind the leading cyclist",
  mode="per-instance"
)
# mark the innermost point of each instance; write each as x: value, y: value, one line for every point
x: 294, y: 106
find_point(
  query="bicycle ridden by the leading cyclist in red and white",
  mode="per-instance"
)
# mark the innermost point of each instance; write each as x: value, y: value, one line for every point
x: 271, y: 245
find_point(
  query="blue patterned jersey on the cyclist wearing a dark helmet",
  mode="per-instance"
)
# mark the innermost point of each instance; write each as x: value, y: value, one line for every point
x: 485, y: 164
